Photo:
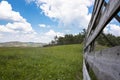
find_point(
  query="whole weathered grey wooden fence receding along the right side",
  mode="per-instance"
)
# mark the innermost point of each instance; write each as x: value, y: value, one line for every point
x: 105, y: 63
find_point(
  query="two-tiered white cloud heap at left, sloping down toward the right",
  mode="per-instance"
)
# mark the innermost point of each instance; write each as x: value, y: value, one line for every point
x: 18, y: 24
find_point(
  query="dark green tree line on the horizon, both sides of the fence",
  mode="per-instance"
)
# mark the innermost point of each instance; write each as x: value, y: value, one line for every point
x: 103, y: 39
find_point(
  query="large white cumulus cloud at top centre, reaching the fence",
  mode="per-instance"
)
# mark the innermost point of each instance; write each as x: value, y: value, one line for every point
x: 67, y: 12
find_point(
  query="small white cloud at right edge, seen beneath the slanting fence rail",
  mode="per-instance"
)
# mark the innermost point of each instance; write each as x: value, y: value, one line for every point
x: 113, y: 29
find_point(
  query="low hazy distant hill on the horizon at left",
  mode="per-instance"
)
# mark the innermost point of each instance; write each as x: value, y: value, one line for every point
x: 21, y: 44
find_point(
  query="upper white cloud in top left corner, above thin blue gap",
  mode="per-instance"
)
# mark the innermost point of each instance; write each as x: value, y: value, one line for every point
x: 6, y: 13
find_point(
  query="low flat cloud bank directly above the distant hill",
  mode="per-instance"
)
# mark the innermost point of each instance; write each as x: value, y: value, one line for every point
x: 42, y: 37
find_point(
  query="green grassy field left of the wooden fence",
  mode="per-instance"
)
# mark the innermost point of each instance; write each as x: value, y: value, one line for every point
x: 48, y: 63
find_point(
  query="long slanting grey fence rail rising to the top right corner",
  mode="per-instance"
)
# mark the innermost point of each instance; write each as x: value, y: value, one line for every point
x: 112, y: 8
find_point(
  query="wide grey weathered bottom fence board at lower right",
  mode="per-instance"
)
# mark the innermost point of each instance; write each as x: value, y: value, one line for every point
x: 106, y: 63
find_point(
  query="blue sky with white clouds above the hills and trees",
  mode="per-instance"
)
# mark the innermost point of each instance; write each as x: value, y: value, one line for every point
x: 41, y: 20
